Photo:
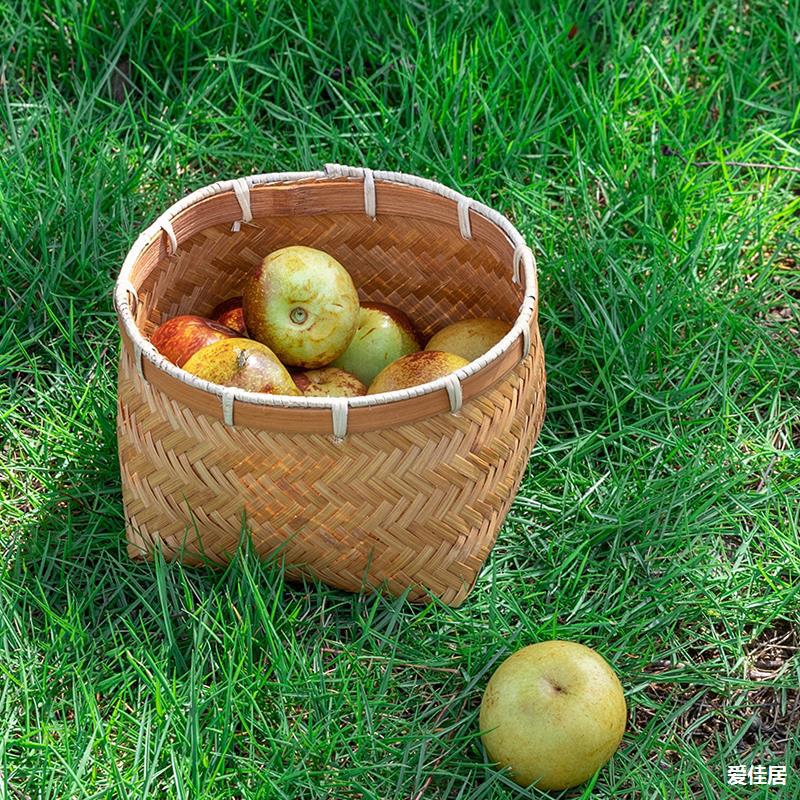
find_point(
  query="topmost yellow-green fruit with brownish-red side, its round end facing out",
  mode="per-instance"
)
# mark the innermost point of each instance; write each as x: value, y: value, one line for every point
x: 302, y: 304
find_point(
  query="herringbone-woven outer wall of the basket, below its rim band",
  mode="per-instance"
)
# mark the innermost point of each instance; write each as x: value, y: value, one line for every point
x: 419, y: 505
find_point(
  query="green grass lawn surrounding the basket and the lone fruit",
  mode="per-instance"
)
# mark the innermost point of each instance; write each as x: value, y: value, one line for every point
x: 659, y: 518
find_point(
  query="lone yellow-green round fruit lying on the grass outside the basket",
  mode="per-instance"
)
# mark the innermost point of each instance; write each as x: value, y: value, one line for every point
x: 554, y: 712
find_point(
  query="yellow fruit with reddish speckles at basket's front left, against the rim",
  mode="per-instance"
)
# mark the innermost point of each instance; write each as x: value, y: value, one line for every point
x: 243, y: 363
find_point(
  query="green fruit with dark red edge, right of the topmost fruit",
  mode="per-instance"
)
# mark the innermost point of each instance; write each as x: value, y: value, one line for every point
x: 384, y: 334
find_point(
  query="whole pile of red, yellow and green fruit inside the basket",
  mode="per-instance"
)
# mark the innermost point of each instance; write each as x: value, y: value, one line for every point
x: 298, y: 328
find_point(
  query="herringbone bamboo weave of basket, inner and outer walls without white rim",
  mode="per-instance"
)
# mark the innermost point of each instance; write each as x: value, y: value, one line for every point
x: 394, y: 503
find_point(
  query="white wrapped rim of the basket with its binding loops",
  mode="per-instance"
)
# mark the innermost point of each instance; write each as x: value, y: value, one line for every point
x: 523, y: 266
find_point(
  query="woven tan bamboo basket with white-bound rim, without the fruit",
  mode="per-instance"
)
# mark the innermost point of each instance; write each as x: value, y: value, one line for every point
x: 398, y: 491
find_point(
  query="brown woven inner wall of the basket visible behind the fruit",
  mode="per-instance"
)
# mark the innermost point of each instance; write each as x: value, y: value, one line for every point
x: 421, y: 265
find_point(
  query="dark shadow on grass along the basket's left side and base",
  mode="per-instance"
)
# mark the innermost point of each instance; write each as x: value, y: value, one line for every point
x: 68, y: 570
